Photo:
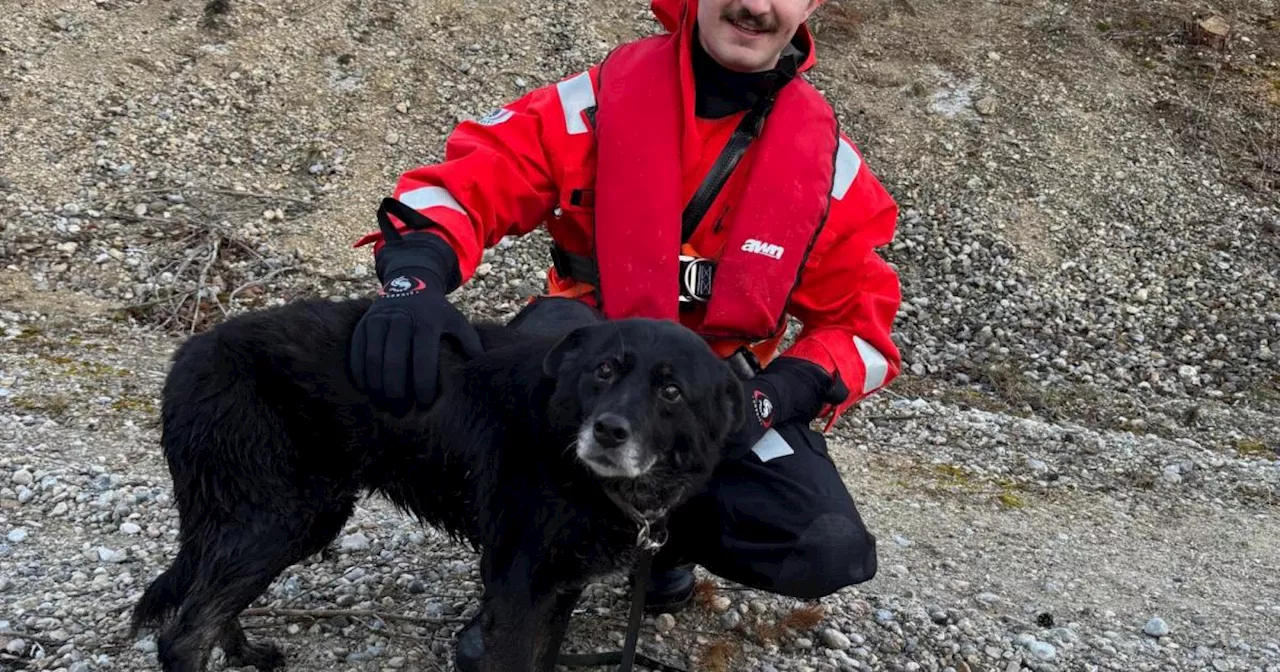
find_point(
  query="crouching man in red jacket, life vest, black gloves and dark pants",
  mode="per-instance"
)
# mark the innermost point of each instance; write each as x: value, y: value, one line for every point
x: 692, y: 176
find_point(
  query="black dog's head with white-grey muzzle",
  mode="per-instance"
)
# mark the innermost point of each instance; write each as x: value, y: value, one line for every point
x: 648, y: 400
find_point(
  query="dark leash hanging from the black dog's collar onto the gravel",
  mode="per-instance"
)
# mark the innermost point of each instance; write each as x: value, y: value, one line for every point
x: 650, y: 543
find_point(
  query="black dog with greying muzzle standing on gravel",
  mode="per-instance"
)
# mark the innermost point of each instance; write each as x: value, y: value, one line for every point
x: 542, y: 455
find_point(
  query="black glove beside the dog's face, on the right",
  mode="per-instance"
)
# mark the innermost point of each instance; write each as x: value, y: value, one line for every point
x: 789, y: 390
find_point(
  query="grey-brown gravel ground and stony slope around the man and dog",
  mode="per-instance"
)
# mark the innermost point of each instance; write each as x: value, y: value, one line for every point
x: 1080, y: 470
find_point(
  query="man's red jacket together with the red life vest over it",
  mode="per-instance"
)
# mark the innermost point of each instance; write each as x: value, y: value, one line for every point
x: 609, y: 158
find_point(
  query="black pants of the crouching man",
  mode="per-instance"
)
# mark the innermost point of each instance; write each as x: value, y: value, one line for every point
x: 779, y: 520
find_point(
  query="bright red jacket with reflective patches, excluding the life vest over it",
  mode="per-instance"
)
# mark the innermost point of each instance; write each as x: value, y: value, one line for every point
x: 533, y: 161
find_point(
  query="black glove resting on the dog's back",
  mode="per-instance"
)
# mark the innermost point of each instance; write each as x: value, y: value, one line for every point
x: 396, y: 348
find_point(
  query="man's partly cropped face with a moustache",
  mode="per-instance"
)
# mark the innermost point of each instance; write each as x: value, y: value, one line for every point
x: 749, y: 35
